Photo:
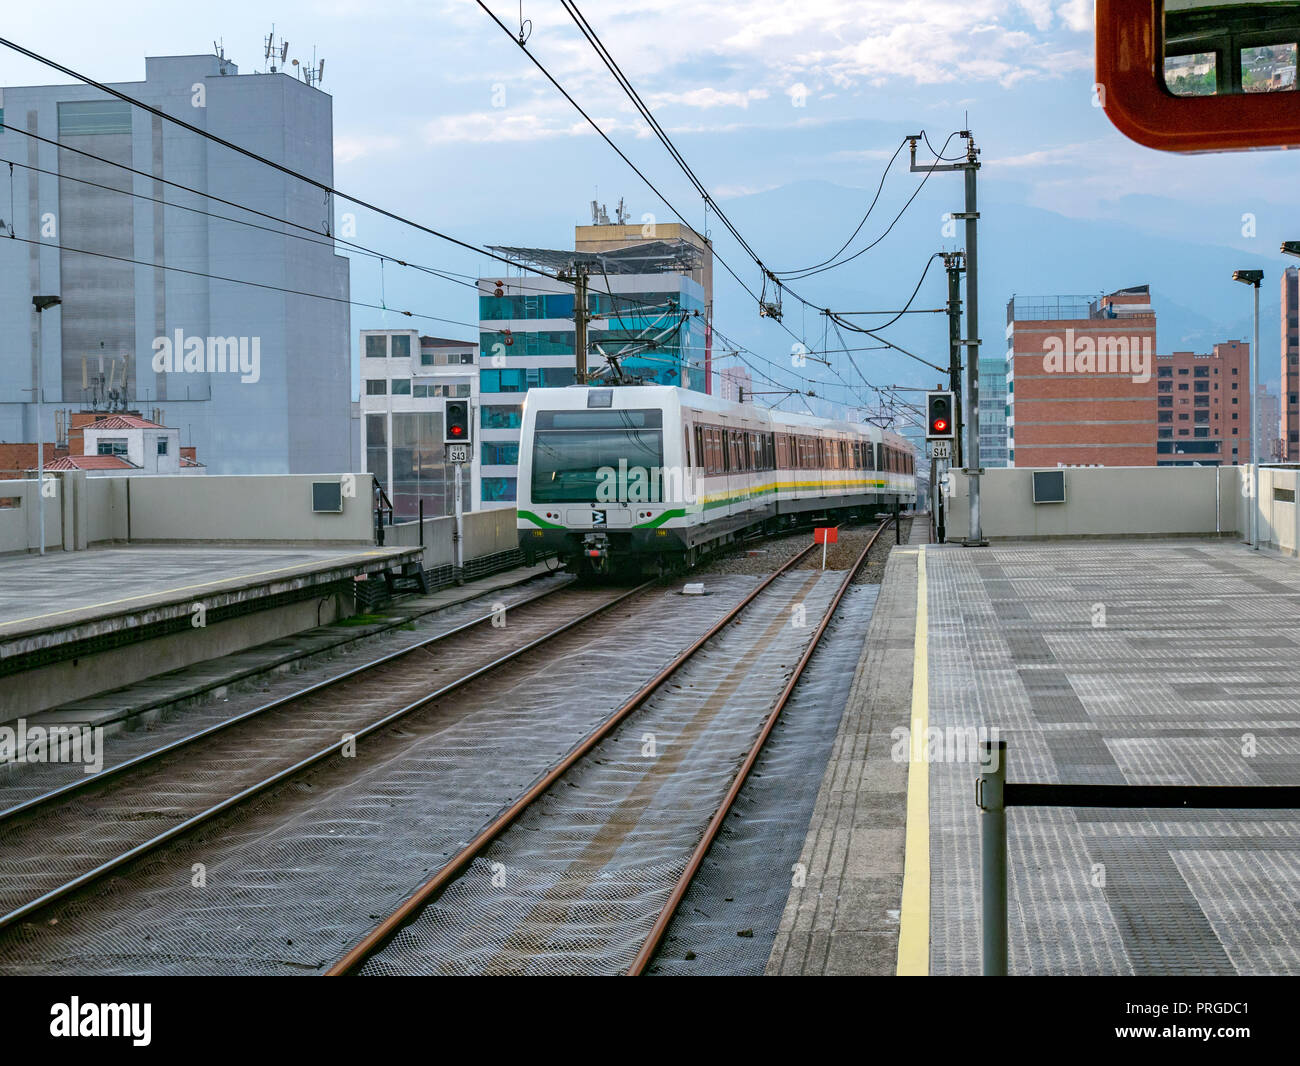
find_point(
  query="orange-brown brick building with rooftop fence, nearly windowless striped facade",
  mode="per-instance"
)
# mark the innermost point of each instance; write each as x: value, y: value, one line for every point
x: 1081, y: 380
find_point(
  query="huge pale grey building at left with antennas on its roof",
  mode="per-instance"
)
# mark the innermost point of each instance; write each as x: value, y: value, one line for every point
x: 257, y: 378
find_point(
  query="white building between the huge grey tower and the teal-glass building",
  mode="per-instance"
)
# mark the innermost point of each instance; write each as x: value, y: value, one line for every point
x: 406, y: 383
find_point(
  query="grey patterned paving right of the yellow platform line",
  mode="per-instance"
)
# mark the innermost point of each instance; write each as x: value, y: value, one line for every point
x: 1120, y: 664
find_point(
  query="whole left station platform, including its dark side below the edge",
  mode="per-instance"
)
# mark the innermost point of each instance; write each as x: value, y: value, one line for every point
x: 79, y: 623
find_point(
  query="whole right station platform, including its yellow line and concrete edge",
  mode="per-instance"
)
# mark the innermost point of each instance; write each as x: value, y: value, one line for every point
x: 1099, y: 662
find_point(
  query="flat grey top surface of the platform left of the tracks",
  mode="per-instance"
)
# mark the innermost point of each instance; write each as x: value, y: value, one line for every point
x: 63, y: 588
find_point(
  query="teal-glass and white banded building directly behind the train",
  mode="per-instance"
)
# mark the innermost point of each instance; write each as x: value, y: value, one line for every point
x: 649, y: 318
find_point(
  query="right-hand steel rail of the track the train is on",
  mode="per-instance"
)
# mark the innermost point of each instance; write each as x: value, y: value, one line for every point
x: 281, y: 775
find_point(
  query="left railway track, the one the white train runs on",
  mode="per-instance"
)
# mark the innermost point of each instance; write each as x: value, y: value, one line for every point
x: 70, y: 838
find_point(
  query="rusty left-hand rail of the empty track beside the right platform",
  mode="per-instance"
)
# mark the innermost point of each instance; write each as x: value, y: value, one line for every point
x: 458, y: 864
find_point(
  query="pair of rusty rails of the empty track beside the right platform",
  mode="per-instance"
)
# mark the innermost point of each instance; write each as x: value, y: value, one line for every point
x: 366, y: 956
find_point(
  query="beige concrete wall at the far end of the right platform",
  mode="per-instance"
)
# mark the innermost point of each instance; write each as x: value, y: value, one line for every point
x: 1106, y: 501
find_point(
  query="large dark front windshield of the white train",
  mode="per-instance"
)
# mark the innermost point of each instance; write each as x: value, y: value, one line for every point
x: 590, y: 457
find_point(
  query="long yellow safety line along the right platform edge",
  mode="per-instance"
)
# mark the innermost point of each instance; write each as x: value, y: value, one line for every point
x: 915, y: 917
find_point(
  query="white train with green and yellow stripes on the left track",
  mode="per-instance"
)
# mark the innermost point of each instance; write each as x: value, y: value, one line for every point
x: 652, y: 476
